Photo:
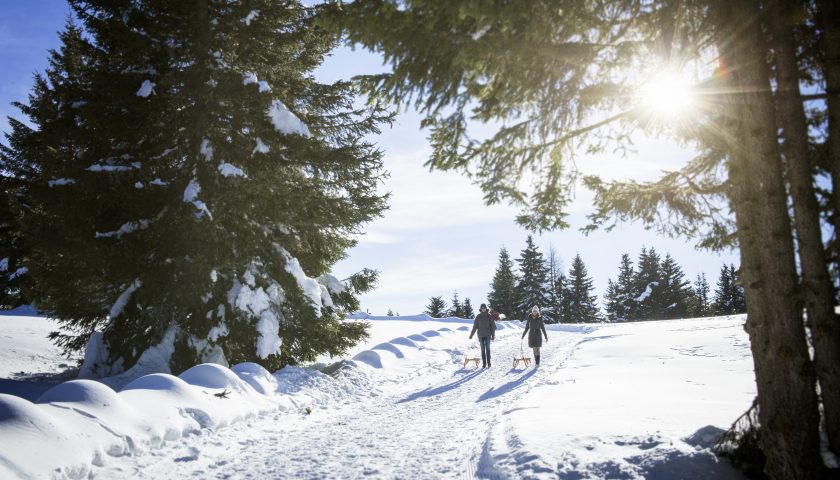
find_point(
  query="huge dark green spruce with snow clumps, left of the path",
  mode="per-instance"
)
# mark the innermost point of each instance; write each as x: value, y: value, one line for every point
x: 186, y: 174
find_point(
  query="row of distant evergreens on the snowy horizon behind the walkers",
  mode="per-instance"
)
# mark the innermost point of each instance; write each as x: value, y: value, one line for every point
x: 655, y: 289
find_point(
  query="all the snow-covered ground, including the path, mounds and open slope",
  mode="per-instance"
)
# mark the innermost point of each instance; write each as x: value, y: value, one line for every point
x: 639, y: 400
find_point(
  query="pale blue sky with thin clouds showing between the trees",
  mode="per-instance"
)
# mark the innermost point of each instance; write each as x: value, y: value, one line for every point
x: 437, y: 237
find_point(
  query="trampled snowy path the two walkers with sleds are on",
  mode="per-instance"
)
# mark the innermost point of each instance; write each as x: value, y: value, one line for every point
x: 432, y: 423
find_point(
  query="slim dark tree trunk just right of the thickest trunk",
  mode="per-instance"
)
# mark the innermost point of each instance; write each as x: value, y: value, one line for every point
x: 816, y: 283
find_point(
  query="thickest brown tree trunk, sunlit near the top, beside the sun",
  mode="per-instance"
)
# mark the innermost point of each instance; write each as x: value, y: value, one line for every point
x: 784, y: 375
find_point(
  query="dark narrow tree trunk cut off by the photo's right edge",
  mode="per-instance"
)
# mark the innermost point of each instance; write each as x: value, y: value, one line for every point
x: 829, y: 19
